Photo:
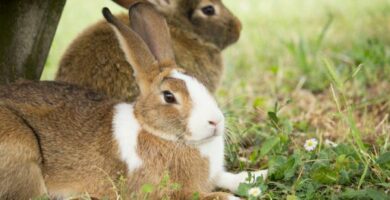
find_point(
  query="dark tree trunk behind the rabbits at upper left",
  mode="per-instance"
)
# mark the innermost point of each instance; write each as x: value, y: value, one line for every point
x: 27, y: 29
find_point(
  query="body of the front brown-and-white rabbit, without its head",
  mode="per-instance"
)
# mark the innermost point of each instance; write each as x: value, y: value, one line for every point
x: 72, y: 163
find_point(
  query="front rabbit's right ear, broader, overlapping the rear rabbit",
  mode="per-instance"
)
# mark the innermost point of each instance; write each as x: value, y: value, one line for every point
x: 153, y: 29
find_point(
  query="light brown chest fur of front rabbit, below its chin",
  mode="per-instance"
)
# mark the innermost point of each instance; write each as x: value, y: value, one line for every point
x: 185, y: 166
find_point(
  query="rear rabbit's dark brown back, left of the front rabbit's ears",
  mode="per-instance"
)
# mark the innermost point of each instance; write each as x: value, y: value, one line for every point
x: 94, y: 60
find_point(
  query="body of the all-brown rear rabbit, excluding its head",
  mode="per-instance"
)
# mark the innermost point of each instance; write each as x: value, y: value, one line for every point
x: 94, y: 60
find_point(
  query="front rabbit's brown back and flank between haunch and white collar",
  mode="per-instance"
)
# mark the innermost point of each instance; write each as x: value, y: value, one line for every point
x: 72, y: 128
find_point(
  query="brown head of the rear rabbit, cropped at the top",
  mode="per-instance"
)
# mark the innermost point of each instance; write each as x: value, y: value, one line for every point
x: 210, y: 19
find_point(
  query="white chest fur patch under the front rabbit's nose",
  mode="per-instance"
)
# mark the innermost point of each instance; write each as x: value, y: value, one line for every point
x: 214, y: 152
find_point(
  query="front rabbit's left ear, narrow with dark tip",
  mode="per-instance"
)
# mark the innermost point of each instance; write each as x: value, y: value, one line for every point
x: 136, y: 52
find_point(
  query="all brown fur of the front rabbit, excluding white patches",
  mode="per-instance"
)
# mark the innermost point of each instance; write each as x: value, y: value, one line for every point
x: 58, y: 138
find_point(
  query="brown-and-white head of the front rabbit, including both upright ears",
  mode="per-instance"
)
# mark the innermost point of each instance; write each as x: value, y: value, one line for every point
x: 171, y: 104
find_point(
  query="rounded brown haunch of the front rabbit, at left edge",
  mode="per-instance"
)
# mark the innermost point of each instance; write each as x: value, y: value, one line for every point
x: 18, y: 142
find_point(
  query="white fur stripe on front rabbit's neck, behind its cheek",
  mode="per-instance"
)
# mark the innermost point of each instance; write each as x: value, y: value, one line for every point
x: 126, y: 129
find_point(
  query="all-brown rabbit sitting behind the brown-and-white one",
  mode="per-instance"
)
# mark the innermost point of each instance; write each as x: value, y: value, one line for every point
x: 200, y: 30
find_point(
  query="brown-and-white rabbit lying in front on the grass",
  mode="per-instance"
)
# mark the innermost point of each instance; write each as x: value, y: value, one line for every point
x: 61, y: 140
